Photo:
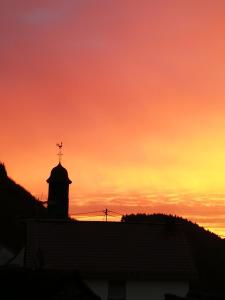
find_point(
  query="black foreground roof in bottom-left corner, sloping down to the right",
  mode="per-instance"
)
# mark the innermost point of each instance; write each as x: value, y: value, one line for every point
x: 43, y: 284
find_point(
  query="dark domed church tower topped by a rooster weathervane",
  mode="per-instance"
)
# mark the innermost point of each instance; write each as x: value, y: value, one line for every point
x: 58, y: 192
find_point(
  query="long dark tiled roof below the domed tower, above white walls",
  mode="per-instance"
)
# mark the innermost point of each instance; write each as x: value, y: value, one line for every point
x: 103, y: 249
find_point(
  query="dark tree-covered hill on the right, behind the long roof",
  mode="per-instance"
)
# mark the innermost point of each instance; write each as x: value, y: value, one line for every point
x: 207, y: 248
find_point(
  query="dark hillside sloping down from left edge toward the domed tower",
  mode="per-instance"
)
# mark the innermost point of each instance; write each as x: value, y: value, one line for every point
x: 16, y: 205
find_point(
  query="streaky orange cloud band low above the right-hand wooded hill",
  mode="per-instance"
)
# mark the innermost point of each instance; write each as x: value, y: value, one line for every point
x: 205, y: 209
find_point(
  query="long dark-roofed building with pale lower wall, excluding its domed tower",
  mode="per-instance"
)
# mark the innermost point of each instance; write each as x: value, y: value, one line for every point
x: 117, y: 260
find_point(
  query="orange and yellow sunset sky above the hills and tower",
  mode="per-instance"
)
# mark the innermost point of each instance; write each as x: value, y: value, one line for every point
x: 135, y: 90
